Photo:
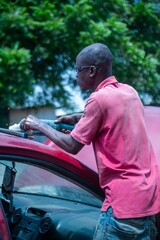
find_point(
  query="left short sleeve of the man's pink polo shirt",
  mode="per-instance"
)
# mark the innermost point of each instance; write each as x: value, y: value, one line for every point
x: 90, y: 123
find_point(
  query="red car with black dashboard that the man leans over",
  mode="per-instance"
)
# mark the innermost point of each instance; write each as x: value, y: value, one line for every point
x: 47, y: 193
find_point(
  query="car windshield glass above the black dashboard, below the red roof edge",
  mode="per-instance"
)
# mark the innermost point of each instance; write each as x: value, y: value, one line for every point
x: 34, y: 180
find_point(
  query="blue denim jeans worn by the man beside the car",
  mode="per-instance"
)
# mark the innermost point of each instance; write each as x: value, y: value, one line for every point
x: 111, y: 228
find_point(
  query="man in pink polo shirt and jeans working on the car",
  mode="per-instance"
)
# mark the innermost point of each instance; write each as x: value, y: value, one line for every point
x: 113, y: 120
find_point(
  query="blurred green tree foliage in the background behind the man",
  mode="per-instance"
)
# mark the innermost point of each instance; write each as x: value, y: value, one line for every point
x: 40, y: 40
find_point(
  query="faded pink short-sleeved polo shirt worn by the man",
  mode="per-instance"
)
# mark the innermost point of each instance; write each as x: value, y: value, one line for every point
x: 128, y: 171
